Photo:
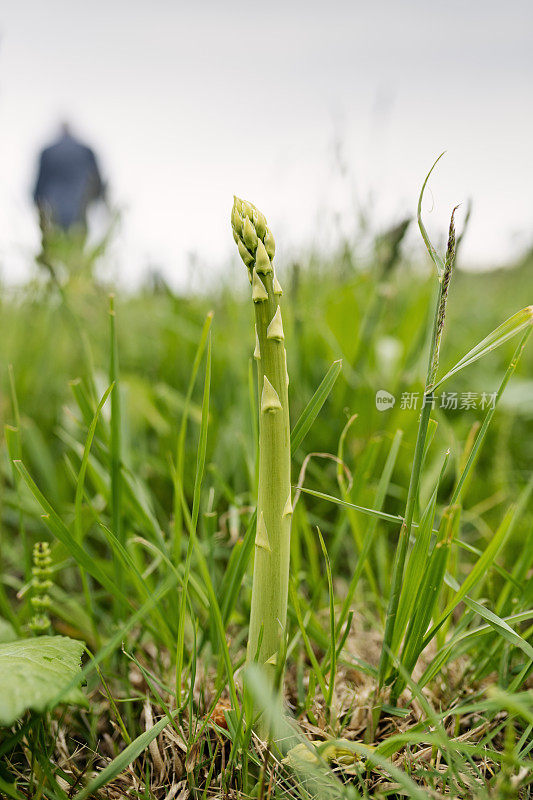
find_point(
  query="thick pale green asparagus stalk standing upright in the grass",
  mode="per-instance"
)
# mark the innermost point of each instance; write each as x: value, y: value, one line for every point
x: 274, y: 506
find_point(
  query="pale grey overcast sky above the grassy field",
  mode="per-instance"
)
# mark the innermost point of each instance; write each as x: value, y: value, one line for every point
x: 188, y: 103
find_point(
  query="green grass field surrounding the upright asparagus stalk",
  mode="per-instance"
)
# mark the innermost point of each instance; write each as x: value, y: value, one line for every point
x: 131, y: 448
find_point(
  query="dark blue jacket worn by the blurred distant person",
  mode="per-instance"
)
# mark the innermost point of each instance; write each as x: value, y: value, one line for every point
x: 68, y: 180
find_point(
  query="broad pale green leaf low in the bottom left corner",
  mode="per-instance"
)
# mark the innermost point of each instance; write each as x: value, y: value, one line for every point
x: 33, y: 672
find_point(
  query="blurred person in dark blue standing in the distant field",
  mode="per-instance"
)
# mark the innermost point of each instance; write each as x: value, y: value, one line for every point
x: 68, y: 181
